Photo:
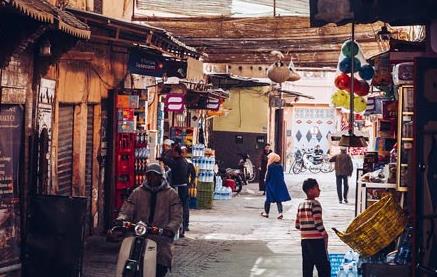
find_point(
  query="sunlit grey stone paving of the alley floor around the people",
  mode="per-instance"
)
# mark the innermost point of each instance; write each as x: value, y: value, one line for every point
x: 232, y: 239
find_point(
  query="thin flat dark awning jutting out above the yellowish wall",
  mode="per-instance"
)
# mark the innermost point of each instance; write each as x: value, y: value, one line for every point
x: 227, y: 81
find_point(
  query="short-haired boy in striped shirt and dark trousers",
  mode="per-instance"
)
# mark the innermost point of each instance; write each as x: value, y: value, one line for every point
x: 313, y: 234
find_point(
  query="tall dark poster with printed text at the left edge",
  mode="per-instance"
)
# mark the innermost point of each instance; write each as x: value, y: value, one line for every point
x: 11, y: 125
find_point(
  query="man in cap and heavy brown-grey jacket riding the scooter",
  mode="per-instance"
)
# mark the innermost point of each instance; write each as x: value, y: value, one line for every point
x: 157, y: 204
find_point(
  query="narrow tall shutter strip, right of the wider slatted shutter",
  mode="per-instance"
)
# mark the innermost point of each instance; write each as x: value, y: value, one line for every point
x: 89, y: 168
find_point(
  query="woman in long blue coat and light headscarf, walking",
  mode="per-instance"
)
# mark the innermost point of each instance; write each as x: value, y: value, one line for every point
x: 276, y: 189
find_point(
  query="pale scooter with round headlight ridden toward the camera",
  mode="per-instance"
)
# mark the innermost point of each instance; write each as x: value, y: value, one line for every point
x: 137, y: 255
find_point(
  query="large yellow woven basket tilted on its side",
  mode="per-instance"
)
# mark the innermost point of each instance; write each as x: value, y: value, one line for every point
x: 375, y: 228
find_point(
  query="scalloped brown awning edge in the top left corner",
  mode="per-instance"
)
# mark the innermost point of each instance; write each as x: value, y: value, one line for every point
x: 45, y: 12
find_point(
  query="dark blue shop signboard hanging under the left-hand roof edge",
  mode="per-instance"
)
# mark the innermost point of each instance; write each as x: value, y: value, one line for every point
x: 145, y: 63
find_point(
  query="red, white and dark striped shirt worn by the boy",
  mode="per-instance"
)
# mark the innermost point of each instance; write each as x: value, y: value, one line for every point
x: 309, y: 220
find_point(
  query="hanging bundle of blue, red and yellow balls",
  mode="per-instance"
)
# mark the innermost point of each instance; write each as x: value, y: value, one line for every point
x: 363, y: 73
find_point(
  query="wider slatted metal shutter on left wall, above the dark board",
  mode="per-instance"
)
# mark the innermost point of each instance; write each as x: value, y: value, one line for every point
x: 65, y: 153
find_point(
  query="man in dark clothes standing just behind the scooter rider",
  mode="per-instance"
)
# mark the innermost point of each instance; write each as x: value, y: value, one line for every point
x: 179, y: 179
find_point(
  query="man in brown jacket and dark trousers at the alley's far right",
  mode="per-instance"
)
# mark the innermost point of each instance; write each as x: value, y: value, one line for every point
x: 343, y: 170
